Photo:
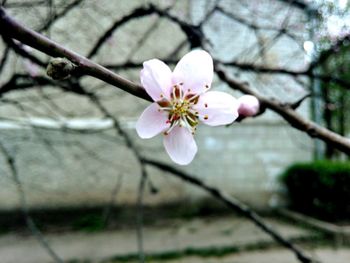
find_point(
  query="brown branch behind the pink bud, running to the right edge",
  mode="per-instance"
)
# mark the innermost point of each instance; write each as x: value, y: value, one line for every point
x: 291, y: 116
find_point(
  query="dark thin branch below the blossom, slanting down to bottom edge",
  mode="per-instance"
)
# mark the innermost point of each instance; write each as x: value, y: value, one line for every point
x: 234, y: 204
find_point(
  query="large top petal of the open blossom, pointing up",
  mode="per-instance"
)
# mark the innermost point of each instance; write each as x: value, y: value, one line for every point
x: 195, y: 70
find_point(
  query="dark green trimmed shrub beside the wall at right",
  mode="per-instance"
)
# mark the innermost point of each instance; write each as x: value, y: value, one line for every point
x: 320, y: 189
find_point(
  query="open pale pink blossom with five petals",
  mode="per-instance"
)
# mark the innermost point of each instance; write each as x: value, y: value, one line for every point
x: 181, y: 101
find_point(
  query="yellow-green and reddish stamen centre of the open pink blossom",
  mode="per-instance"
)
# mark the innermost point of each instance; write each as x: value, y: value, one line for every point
x: 180, y: 109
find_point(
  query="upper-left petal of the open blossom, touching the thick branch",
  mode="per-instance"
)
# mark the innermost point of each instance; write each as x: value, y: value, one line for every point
x: 156, y: 79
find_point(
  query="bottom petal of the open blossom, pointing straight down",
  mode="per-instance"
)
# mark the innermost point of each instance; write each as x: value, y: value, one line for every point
x: 180, y: 145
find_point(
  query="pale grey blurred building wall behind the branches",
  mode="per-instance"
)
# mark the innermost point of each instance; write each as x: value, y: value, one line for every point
x: 68, y: 168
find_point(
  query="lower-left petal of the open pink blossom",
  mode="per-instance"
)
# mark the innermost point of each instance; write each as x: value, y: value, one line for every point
x: 151, y: 122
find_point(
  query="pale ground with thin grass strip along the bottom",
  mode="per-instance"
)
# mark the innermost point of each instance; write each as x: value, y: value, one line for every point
x: 211, y: 239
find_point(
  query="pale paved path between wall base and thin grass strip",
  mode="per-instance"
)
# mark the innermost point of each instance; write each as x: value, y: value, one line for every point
x: 174, y: 236
